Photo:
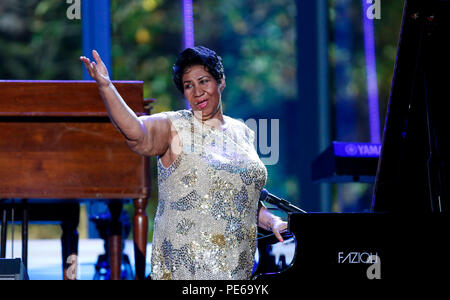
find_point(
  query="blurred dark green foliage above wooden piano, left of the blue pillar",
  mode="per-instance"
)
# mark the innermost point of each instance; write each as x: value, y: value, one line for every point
x: 37, y: 41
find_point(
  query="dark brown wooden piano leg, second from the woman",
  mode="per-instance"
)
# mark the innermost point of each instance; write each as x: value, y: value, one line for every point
x: 115, y: 239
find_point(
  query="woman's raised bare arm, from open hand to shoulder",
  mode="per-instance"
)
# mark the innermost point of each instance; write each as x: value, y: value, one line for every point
x: 147, y: 135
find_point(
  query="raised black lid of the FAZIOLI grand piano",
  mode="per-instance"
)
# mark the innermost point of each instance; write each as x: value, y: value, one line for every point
x: 413, y: 169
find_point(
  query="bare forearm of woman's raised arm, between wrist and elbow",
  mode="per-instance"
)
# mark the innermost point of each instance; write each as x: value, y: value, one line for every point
x: 121, y: 115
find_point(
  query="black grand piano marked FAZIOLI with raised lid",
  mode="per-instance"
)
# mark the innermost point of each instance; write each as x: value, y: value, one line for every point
x: 406, y: 234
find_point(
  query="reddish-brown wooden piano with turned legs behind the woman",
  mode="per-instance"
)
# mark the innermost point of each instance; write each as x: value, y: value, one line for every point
x: 57, y: 143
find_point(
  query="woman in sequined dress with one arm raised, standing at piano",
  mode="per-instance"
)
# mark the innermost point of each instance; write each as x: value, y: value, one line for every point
x: 209, y: 174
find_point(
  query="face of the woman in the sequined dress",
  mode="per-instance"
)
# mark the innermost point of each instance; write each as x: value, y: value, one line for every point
x: 202, y: 91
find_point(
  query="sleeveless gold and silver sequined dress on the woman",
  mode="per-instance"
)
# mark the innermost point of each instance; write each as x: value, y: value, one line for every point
x: 205, y: 223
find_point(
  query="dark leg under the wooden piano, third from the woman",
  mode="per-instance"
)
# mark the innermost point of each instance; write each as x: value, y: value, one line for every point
x: 69, y: 240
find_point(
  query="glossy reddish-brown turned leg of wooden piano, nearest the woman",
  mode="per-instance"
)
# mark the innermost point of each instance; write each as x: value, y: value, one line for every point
x: 140, y: 231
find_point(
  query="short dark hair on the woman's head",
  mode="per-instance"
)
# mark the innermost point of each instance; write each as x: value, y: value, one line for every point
x: 197, y: 56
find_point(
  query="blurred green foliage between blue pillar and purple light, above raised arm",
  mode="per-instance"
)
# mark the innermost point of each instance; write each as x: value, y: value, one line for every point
x: 147, y: 37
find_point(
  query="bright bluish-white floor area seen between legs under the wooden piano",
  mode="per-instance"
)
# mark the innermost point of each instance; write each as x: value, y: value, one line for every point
x: 45, y: 261
